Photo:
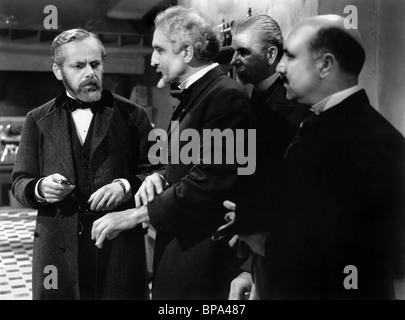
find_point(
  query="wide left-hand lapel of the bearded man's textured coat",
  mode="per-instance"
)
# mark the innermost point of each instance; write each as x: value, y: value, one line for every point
x: 56, y: 129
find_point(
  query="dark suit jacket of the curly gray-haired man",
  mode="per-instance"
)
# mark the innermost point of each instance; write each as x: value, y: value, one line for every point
x: 188, y: 265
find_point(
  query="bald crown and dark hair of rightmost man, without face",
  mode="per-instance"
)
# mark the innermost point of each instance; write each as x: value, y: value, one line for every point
x: 329, y: 35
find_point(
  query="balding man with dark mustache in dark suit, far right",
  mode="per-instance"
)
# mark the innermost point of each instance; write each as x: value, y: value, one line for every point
x: 335, y: 228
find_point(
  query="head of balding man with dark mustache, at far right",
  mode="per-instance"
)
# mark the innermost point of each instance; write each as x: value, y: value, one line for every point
x: 321, y: 57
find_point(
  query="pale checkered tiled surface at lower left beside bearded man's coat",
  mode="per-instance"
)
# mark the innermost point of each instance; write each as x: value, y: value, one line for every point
x: 16, y: 236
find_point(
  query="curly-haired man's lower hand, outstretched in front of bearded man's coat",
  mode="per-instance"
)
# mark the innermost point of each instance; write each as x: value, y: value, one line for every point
x: 111, y: 224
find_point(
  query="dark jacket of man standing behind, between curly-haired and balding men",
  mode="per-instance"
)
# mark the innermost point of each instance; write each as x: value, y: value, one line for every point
x: 276, y: 121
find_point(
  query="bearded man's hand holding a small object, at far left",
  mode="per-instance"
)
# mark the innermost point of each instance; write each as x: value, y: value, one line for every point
x: 54, y: 188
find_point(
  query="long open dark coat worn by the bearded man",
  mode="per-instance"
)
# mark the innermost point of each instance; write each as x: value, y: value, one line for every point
x: 119, y: 144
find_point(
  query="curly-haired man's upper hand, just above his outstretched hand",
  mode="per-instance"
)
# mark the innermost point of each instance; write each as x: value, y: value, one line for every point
x: 153, y: 185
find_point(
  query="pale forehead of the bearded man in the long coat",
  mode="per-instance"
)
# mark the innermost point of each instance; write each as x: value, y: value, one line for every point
x: 87, y: 49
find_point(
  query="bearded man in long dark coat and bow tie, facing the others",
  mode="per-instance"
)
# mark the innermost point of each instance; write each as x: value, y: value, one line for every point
x: 79, y: 158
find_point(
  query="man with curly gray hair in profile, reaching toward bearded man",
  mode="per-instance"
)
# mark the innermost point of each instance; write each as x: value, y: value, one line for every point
x: 184, y: 204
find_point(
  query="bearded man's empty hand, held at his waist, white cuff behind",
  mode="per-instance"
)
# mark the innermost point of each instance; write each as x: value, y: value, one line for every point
x: 107, y: 197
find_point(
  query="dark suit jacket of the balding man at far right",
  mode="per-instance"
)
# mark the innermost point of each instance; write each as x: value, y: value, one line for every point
x: 339, y: 202
